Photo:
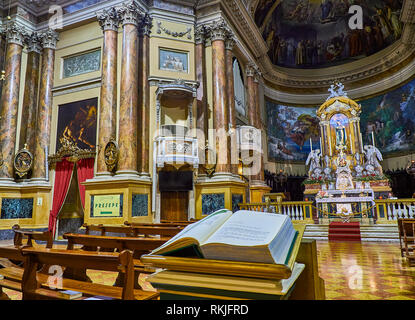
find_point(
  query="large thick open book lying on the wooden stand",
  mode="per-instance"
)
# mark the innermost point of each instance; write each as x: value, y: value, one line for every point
x: 248, y: 236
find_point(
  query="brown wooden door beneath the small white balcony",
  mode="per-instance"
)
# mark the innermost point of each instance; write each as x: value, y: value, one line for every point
x: 174, y: 205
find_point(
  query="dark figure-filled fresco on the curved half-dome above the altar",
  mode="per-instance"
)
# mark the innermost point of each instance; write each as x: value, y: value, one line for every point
x: 309, y: 34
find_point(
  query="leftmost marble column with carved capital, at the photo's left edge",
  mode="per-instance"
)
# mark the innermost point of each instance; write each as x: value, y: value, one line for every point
x: 10, y: 99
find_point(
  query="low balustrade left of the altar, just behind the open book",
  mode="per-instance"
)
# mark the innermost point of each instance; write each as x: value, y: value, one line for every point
x: 296, y: 210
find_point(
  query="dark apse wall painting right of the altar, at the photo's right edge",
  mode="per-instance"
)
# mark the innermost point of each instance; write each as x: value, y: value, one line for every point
x: 389, y: 119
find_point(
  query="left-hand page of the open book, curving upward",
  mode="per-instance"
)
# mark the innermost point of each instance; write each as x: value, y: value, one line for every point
x: 200, y: 230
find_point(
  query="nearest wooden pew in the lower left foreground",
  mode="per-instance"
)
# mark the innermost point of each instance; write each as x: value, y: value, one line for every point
x: 34, y: 287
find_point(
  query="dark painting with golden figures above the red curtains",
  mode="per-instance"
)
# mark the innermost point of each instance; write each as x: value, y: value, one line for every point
x: 77, y: 122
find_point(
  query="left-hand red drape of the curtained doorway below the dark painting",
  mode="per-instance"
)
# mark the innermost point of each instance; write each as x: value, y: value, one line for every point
x: 63, y: 176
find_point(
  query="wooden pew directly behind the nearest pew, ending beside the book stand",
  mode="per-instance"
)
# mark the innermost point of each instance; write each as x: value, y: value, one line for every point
x: 138, y: 245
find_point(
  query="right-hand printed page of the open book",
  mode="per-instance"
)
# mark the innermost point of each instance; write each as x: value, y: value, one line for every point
x: 248, y: 228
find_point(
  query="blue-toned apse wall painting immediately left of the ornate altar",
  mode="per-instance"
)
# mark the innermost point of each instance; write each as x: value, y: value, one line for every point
x: 292, y: 131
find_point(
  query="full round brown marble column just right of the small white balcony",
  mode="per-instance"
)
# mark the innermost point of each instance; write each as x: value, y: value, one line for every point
x: 220, y: 101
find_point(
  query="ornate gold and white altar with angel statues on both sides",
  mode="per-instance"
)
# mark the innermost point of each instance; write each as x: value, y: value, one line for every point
x: 344, y: 168
